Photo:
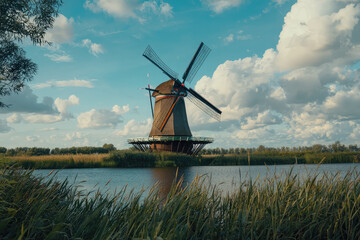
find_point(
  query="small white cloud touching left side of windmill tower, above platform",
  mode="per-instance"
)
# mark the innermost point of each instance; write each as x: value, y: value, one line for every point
x: 135, y: 128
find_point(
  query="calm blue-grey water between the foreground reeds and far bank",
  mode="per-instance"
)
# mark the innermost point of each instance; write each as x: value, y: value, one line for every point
x: 226, y: 178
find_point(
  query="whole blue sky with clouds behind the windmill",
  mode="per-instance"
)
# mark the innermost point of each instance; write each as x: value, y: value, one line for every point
x: 283, y: 72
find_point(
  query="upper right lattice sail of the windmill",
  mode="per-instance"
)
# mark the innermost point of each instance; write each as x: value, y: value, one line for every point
x: 198, y: 59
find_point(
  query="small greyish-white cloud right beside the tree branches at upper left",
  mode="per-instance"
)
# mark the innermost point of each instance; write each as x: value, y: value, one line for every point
x: 62, y: 30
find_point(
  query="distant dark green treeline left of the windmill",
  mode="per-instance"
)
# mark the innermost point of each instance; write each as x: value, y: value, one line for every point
x: 36, y: 151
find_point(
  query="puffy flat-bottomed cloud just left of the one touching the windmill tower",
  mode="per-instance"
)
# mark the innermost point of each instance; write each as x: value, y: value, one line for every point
x: 102, y: 118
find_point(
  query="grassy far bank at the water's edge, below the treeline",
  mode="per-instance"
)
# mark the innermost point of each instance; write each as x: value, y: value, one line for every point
x: 124, y: 158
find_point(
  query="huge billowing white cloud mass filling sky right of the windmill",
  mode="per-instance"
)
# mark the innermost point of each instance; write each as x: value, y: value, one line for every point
x: 305, y: 91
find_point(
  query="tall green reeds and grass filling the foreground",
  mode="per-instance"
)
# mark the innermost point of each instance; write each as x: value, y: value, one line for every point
x: 315, y: 208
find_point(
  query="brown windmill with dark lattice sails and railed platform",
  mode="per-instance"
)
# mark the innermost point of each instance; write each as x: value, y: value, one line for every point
x: 170, y: 129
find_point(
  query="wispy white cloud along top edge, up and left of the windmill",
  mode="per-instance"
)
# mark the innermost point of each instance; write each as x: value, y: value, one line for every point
x: 130, y: 8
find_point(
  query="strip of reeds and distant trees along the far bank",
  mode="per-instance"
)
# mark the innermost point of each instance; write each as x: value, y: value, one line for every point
x: 108, y: 156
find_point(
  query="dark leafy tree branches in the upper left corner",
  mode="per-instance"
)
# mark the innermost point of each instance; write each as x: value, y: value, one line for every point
x: 21, y: 20
